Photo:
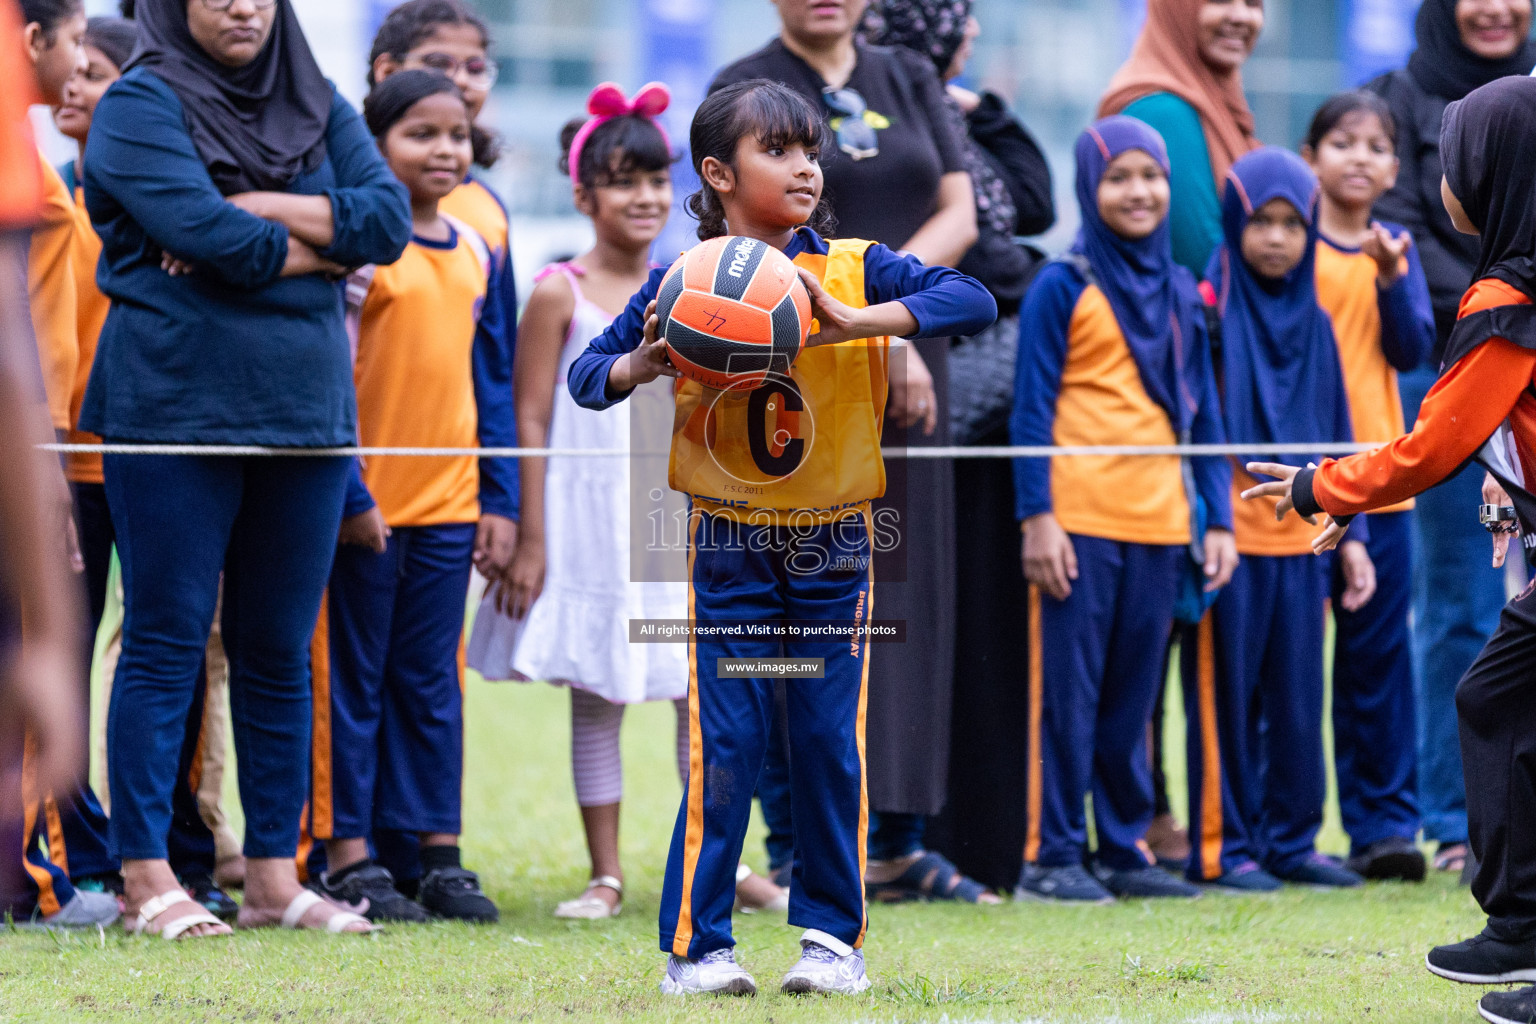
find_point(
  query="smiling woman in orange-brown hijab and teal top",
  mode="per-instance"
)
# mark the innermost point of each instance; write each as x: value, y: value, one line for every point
x: 1185, y: 79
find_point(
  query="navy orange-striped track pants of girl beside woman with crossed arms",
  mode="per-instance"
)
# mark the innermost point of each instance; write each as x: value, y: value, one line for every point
x: 389, y: 730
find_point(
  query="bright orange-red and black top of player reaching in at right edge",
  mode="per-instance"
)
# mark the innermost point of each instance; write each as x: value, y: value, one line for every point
x: 1485, y: 405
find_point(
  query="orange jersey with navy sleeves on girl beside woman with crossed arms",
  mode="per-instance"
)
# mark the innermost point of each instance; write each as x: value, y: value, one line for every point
x: 426, y: 345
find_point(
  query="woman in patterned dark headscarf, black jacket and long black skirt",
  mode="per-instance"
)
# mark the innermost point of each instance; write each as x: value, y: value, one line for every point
x: 982, y: 827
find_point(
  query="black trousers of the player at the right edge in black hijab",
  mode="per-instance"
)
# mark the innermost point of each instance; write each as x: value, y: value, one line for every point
x: 1497, y: 713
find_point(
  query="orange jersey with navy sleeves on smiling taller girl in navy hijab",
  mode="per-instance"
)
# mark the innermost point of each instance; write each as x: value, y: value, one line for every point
x: 1079, y: 385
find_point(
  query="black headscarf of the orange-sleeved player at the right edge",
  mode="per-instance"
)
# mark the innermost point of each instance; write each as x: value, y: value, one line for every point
x: 1489, y: 153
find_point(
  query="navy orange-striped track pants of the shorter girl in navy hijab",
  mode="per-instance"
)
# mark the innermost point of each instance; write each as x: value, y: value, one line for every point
x: 1254, y: 696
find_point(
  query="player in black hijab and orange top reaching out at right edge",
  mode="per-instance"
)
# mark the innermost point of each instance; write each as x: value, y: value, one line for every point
x: 1483, y: 408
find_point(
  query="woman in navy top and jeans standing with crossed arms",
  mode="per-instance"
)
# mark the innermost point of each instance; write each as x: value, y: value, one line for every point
x: 231, y: 188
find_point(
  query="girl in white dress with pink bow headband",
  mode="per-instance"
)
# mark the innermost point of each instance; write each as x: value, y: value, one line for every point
x: 561, y: 612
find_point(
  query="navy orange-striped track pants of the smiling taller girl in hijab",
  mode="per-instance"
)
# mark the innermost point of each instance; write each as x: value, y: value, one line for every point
x: 1096, y: 666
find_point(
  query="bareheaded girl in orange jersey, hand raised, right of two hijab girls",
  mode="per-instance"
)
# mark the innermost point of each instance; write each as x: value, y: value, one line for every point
x: 1374, y: 289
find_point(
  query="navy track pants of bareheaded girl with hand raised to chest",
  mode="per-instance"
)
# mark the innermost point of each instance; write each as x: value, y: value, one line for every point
x: 1374, y: 704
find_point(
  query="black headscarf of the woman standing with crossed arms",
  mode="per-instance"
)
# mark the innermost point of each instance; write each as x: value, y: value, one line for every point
x: 259, y: 127
